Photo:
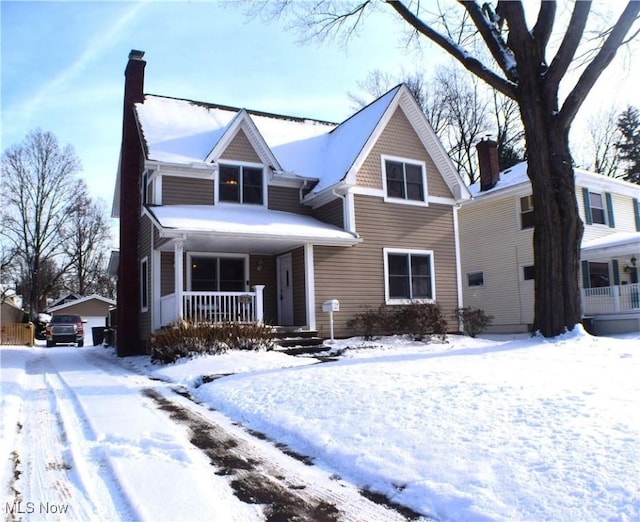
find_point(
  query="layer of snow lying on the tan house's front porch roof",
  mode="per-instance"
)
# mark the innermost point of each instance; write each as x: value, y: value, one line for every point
x: 250, y: 221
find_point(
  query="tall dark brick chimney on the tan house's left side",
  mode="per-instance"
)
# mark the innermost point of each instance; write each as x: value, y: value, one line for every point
x: 131, y: 164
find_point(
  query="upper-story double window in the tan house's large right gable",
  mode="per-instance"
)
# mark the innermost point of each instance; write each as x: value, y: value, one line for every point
x: 404, y: 180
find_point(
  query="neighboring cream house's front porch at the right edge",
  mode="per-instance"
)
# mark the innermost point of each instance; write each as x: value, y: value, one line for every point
x: 611, y: 290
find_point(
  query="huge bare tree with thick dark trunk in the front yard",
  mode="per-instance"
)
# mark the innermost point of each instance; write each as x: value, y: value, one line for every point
x: 528, y: 65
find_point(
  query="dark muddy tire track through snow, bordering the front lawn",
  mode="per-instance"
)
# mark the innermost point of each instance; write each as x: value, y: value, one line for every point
x: 259, y: 473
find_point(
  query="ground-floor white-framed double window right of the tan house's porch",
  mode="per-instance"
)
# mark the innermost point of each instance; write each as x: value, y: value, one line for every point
x: 408, y: 275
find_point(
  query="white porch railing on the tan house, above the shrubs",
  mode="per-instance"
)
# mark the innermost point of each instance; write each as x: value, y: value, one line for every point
x: 214, y: 307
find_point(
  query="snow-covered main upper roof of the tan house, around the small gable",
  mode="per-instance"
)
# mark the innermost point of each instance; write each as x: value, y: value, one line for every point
x: 186, y: 132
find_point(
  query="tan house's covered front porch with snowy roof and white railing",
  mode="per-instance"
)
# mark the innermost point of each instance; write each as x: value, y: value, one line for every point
x: 231, y: 264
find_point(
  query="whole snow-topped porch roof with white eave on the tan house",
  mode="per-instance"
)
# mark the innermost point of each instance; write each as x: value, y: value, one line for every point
x: 246, y: 228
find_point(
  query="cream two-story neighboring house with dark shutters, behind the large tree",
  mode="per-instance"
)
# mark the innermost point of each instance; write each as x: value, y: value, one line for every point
x: 496, y: 240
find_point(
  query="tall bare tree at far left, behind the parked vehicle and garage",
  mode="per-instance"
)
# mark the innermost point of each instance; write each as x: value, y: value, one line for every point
x: 39, y: 190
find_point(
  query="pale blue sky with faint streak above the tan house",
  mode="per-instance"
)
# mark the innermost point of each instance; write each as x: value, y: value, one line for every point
x: 63, y: 65
